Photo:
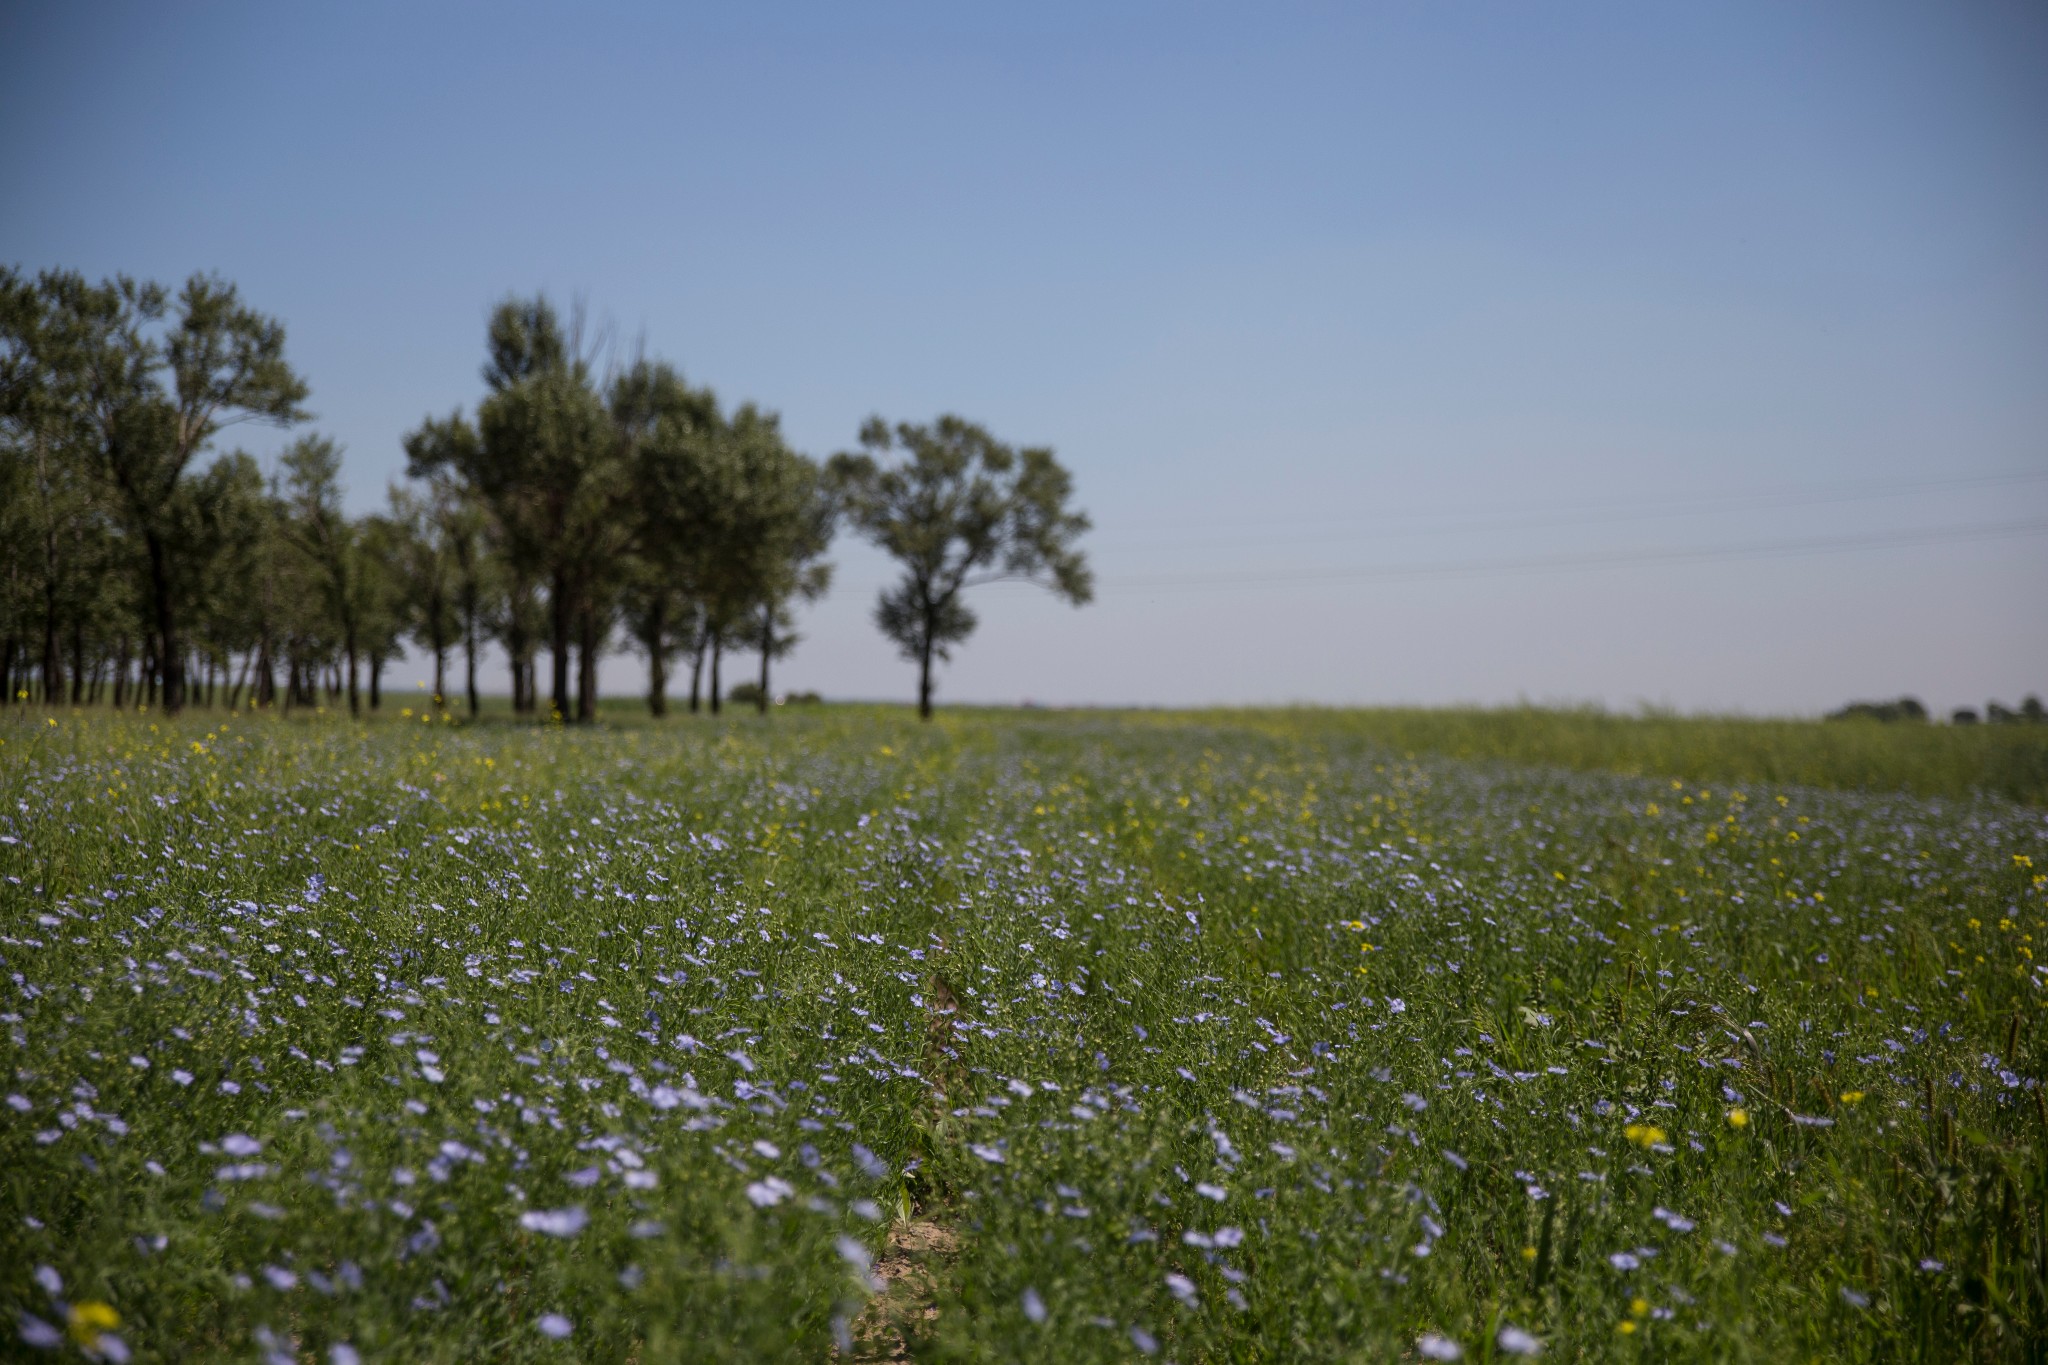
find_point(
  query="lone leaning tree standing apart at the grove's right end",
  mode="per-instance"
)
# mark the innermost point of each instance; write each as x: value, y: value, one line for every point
x: 959, y: 511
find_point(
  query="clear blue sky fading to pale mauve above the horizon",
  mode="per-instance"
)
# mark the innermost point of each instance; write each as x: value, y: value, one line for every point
x: 1426, y: 353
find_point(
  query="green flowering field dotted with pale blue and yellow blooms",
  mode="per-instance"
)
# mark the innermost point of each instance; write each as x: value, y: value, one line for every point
x: 1019, y: 1037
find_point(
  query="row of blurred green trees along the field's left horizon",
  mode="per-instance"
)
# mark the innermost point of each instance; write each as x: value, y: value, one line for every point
x: 583, y: 507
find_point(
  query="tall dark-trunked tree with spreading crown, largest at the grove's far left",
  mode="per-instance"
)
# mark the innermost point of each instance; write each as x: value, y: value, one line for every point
x: 148, y: 400
